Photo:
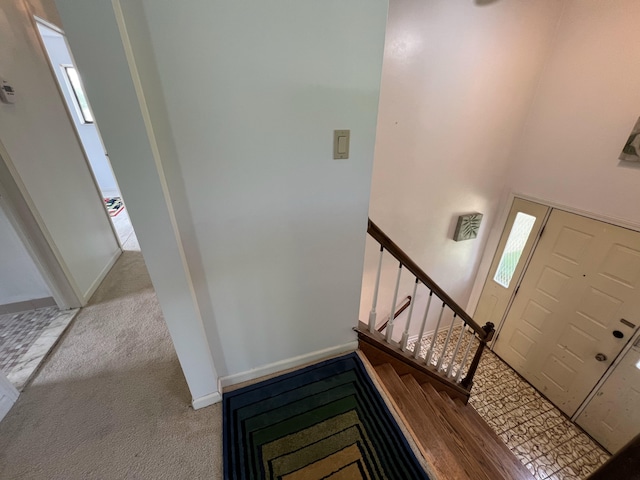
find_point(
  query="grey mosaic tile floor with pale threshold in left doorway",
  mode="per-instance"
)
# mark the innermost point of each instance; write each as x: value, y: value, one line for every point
x: 27, y: 337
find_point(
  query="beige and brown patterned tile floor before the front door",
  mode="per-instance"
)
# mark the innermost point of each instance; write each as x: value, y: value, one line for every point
x: 541, y: 436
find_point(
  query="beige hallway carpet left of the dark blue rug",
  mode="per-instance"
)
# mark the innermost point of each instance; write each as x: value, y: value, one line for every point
x: 110, y: 401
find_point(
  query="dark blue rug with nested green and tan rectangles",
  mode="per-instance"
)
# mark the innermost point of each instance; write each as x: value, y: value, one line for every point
x: 325, y: 421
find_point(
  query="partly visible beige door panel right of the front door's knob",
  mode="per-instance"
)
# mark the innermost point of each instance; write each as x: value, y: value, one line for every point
x: 612, y: 416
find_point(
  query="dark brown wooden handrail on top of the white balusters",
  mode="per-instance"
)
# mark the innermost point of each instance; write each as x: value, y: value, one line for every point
x: 484, y: 334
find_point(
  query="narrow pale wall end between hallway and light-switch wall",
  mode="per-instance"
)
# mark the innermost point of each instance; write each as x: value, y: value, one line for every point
x: 100, y: 43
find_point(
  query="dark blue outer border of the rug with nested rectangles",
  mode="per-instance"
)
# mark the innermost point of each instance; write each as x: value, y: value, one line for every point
x: 386, y: 418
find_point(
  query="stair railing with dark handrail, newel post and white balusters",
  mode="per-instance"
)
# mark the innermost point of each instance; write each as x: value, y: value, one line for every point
x: 448, y: 358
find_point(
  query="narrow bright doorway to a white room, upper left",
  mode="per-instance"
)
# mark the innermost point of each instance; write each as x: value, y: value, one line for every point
x: 79, y: 109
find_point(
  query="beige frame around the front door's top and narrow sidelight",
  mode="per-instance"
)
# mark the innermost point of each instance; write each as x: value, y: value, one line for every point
x: 494, y: 241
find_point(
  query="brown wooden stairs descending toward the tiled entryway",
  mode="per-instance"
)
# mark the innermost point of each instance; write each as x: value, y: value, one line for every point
x: 455, y: 441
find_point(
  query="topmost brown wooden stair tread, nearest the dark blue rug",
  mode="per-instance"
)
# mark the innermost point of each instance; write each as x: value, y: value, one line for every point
x: 436, y: 452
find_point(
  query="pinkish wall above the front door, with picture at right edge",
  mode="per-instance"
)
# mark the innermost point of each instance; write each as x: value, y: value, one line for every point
x: 585, y: 107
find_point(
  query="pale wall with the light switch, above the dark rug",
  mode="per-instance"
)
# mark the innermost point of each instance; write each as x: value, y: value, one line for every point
x: 280, y: 224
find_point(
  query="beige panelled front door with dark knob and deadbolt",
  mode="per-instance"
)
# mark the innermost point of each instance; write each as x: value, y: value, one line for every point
x: 577, y: 307
